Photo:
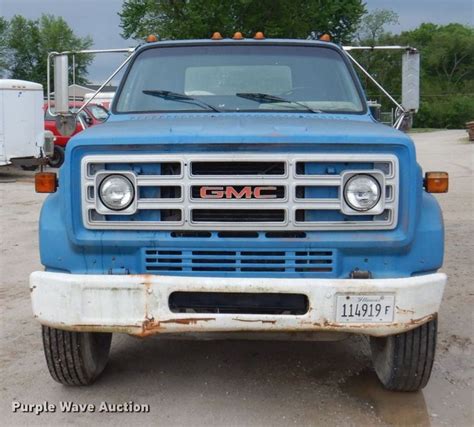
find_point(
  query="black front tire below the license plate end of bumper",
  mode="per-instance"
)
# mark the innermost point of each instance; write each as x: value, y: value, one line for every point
x: 403, y: 362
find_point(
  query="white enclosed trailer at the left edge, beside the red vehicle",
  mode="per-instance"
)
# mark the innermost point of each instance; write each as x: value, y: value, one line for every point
x: 22, y: 131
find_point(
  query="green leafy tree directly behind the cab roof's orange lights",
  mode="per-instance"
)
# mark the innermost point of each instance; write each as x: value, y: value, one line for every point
x: 182, y: 19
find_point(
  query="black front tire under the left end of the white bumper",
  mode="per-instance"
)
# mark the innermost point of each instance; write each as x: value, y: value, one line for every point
x: 75, y: 358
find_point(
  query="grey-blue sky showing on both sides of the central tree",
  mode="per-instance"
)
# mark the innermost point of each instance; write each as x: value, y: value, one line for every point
x: 100, y: 20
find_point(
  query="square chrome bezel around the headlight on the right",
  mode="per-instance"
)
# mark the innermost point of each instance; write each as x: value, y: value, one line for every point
x: 378, y: 177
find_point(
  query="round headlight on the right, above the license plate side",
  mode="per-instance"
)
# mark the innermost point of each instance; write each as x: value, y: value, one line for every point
x: 362, y: 192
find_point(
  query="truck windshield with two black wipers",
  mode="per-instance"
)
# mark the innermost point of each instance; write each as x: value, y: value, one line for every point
x: 239, y: 78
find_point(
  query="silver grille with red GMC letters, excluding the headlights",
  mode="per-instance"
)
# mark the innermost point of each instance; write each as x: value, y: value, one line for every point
x: 236, y: 192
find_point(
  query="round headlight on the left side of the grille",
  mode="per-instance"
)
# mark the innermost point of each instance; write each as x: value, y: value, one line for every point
x: 116, y: 192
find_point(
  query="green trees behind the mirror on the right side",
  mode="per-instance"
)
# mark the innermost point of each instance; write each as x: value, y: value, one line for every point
x: 447, y: 72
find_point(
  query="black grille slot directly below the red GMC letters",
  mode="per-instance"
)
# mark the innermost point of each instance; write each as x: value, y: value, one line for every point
x: 238, y: 215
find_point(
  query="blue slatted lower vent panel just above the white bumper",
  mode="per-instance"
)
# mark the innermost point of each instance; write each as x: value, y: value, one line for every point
x: 243, y: 261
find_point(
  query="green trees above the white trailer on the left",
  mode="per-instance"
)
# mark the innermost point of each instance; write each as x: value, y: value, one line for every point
x: 28, y: 43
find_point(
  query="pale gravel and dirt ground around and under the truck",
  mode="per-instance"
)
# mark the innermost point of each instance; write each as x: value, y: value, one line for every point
x: 244, y: 382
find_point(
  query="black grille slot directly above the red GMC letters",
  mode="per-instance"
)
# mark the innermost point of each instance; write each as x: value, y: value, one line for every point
x: 238, y: 168
